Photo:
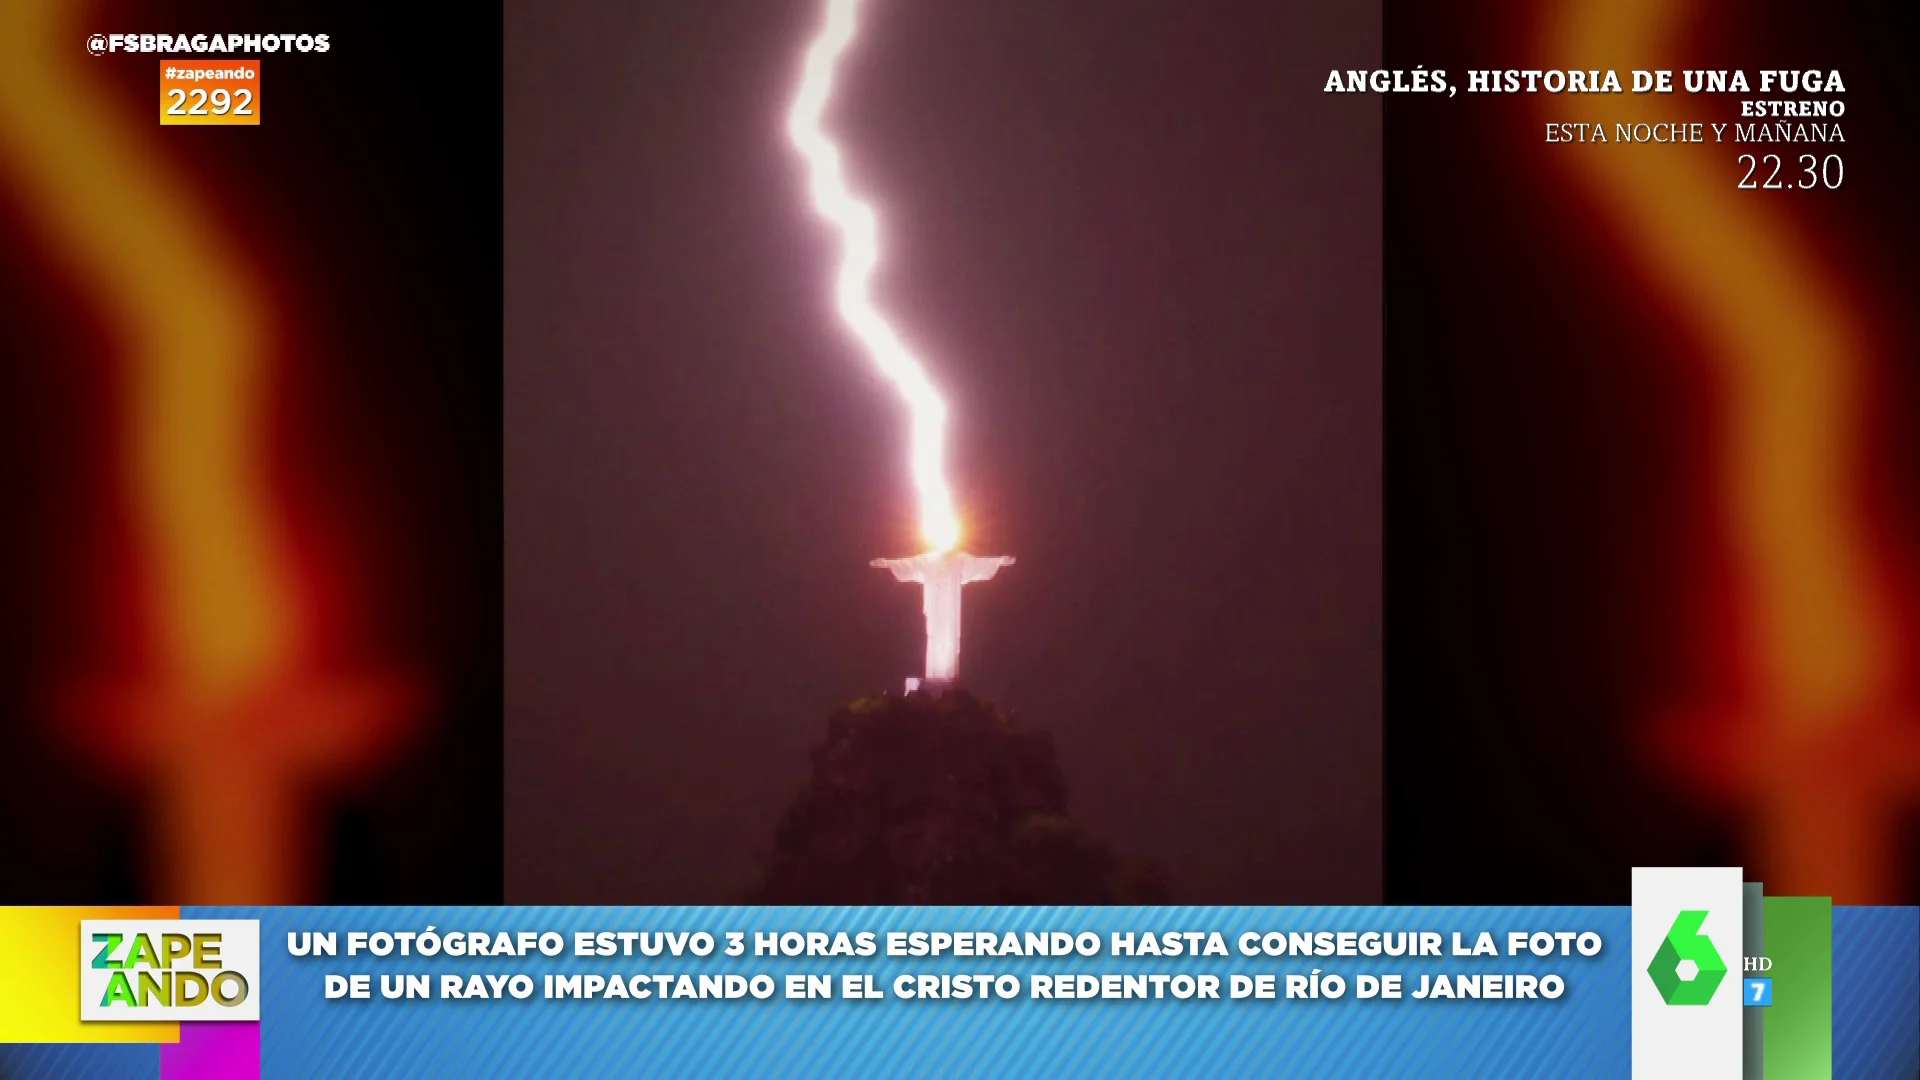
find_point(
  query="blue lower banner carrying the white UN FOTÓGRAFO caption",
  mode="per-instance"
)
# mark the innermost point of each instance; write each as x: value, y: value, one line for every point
x: 915, y: 993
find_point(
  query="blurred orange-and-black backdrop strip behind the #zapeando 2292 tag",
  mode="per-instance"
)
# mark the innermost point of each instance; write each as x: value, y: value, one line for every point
x: 251, y: 478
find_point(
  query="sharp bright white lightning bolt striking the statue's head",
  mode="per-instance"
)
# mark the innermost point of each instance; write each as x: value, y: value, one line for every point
x: 859, y: 230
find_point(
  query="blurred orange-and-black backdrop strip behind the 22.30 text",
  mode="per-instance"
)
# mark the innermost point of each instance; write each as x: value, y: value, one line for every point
x: 1673, y: 424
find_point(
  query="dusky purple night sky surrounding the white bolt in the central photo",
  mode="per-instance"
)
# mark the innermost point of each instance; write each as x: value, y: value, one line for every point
x: 1141, y: 253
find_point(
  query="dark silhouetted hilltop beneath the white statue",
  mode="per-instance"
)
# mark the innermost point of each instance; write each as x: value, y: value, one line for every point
x: 942, y: 800
